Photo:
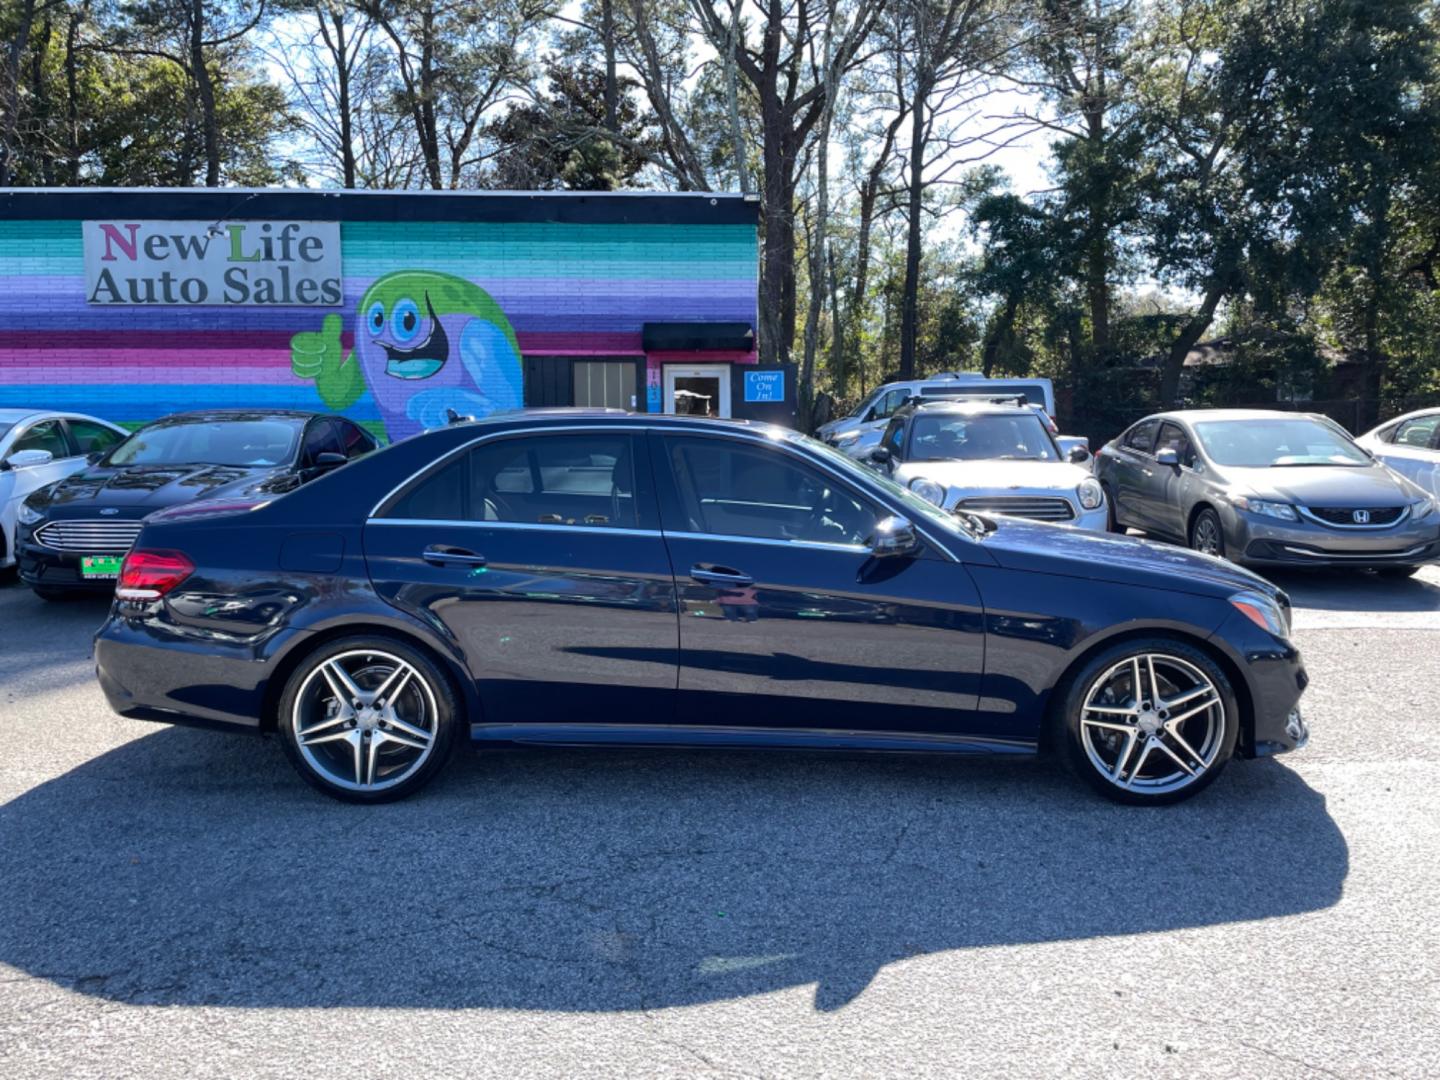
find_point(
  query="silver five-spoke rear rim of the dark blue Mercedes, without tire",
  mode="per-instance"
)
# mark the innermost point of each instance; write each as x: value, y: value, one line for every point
x: 365, y: 721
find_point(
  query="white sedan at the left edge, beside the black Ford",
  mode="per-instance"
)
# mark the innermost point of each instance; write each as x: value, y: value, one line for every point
x: 40, y: 449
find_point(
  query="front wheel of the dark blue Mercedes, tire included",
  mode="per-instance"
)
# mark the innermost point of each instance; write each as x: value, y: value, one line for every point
x: 1150, y: 722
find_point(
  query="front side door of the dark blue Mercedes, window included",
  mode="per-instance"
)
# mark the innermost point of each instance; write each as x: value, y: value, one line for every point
x: 787, y: 621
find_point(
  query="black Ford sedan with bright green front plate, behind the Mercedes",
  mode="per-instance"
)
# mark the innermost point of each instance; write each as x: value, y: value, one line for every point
x: 74, y: 535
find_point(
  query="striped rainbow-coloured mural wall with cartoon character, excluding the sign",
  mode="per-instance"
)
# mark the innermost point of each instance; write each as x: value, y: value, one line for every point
x: 436, y: 315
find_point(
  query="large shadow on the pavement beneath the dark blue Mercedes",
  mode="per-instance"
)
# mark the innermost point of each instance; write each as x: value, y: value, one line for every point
x: 194, y: 869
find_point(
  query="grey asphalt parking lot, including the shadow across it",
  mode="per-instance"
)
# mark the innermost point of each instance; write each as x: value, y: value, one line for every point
x: 176, y: 904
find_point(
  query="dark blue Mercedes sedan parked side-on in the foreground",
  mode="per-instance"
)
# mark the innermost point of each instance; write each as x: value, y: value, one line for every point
x: 595, y: 578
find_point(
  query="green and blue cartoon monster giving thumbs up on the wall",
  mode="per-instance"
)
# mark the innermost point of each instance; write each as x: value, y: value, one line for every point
x: 426, y: 343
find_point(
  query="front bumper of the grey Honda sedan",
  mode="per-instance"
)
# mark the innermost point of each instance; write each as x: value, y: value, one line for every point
x: 1265, y: 542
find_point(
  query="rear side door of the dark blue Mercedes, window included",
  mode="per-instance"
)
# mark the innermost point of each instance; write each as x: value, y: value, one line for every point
x: 541, y: 557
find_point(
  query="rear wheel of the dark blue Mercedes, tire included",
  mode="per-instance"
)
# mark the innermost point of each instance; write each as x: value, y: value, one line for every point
x: 368, y: 662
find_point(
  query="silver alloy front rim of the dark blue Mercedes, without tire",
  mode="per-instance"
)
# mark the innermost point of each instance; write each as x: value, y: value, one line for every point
x: 1153, y: 724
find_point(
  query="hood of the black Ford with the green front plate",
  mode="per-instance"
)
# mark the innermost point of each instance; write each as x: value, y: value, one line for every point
x: 138, y: 490
